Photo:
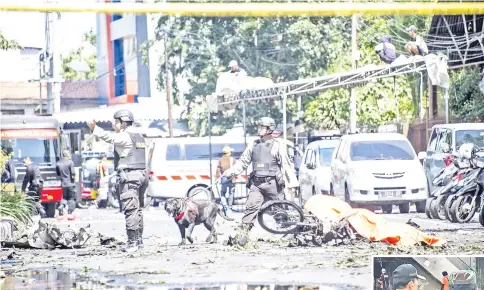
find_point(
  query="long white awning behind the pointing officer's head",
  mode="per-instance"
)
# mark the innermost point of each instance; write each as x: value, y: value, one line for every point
x: 141, y: 112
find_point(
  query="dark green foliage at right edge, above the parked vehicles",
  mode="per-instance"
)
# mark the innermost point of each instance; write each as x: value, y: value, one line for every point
x: 466, y: 101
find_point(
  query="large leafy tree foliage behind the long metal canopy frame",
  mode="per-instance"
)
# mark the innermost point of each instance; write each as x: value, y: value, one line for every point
x: 283, y: 49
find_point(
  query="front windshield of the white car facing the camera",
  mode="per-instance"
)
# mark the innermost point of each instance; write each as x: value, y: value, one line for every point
x: 382, y: 150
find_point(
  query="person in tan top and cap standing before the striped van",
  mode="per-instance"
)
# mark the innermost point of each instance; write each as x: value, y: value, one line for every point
x: 228, y: 186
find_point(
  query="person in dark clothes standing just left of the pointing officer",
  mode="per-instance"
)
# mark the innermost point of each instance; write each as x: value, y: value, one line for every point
x: 65, y: 170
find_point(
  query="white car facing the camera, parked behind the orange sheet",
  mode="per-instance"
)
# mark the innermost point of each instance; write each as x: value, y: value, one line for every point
x: 379, y: 169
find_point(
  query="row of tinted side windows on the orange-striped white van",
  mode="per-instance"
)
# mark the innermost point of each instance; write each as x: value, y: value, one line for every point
x: 201, y: 151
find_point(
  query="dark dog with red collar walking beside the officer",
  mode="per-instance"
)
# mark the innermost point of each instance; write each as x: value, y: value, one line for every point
x: 188, y: 213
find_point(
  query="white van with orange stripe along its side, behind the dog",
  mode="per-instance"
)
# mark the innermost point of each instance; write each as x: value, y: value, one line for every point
x: 179, y: 167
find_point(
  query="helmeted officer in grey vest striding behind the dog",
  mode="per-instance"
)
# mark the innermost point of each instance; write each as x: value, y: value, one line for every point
x: 272, y: 171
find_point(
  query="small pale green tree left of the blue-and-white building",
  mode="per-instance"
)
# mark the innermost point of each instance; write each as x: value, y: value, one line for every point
x: 85, y: 53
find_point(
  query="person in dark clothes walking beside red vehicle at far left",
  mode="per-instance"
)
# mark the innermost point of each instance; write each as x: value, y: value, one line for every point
x: 34, y: 180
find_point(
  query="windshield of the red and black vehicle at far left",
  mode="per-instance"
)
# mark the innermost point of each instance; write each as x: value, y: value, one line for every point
x: 41, y: 150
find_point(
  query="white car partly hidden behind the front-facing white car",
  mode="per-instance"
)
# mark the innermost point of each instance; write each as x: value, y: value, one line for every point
x: 315, y: 169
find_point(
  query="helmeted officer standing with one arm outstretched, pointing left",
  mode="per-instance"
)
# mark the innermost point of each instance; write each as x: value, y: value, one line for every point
x: 129, y: 162
